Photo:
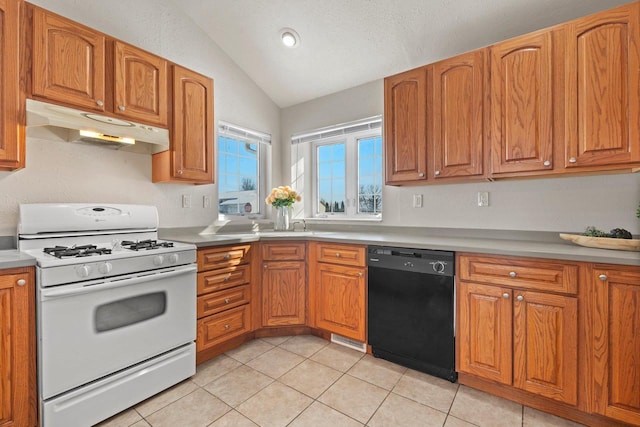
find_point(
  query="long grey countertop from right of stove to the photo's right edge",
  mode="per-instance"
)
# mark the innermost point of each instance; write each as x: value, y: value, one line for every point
x: 499, y: 242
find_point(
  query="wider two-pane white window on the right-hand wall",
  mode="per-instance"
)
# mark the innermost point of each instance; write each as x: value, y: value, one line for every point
x: 347, y: 165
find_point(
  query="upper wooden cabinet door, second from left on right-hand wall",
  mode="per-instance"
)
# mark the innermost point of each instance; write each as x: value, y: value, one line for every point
x: 457, y: 111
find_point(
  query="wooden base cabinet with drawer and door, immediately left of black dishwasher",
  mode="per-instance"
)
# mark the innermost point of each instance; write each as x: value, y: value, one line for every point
x: 338, y: 289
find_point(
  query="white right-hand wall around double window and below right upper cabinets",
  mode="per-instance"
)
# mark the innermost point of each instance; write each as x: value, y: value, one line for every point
x: 549, y: 204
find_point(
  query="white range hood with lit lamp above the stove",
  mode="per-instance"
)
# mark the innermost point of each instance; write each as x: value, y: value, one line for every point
x: 68, y: 124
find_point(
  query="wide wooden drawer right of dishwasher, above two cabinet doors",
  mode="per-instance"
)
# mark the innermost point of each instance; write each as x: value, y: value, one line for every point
x: 527, y: 273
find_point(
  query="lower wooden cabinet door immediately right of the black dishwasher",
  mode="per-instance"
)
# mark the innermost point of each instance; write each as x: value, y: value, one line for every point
x: 484, y: 331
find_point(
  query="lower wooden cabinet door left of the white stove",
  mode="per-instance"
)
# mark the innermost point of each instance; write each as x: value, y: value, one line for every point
x: 17, y: 372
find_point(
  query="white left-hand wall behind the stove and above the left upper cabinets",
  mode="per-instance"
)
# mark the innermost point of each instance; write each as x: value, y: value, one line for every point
x: 61, y: 172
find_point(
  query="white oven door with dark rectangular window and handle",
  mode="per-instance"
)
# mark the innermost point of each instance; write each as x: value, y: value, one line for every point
x: 91, y: 329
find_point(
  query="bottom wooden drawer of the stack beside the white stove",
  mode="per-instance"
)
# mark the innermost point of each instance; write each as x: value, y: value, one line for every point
x: 215, y: 329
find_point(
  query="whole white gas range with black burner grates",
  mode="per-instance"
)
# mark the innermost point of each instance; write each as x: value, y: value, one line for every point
x: 116, y: 308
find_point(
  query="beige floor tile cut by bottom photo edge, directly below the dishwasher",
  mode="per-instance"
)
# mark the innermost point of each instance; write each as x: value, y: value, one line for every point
x: 399, y: 411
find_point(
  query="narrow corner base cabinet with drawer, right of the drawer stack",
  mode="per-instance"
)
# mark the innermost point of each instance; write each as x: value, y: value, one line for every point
x: 284, y: 279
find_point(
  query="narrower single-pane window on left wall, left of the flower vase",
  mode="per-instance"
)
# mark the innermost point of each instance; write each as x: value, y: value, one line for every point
x: 241, y: 158
